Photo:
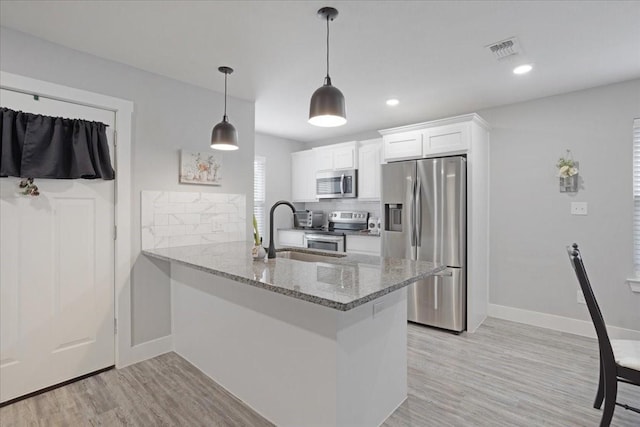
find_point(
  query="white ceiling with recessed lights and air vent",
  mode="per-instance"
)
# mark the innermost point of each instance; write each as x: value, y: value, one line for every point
x: 430, y: 55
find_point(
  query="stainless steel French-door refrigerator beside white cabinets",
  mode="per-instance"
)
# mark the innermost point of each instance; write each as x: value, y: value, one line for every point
x: 424, y: 218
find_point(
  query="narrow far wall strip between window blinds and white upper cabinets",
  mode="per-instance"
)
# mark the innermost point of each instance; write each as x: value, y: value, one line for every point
x: 277, y: 152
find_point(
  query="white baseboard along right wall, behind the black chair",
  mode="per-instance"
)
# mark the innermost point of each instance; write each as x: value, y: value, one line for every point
x: 558, y: 323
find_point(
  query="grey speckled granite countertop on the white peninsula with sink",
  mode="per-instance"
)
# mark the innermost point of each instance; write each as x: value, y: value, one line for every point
x: 340, y: 283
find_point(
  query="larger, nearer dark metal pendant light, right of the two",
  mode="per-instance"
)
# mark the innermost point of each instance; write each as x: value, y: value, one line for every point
x: 327, y: 103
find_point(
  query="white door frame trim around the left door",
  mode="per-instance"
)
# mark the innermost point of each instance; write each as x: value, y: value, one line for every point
x: 123, y: 109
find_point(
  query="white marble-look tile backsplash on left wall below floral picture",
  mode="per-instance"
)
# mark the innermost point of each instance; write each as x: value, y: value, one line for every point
x: 171, y: 218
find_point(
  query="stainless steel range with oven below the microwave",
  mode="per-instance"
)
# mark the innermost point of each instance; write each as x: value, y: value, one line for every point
x: 333, y: 238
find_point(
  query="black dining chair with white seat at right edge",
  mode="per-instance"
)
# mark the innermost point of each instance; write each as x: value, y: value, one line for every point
x: 619, y: 359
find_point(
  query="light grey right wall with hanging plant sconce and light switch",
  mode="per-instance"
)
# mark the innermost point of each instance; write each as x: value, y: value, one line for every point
x: 530, y: 219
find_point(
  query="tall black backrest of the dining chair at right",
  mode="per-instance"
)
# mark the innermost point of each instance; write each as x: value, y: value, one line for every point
x: 606, y: 352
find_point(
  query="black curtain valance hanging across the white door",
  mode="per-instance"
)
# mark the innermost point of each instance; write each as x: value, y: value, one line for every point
x: 37, y: 146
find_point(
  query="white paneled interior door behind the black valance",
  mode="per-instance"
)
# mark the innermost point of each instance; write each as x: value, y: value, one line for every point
x: 56, y: 270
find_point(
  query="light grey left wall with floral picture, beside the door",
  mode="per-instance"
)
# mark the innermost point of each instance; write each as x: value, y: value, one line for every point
x: 168, y: 115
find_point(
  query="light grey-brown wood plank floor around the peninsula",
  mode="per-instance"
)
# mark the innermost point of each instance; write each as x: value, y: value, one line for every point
x: 506, y: 374
